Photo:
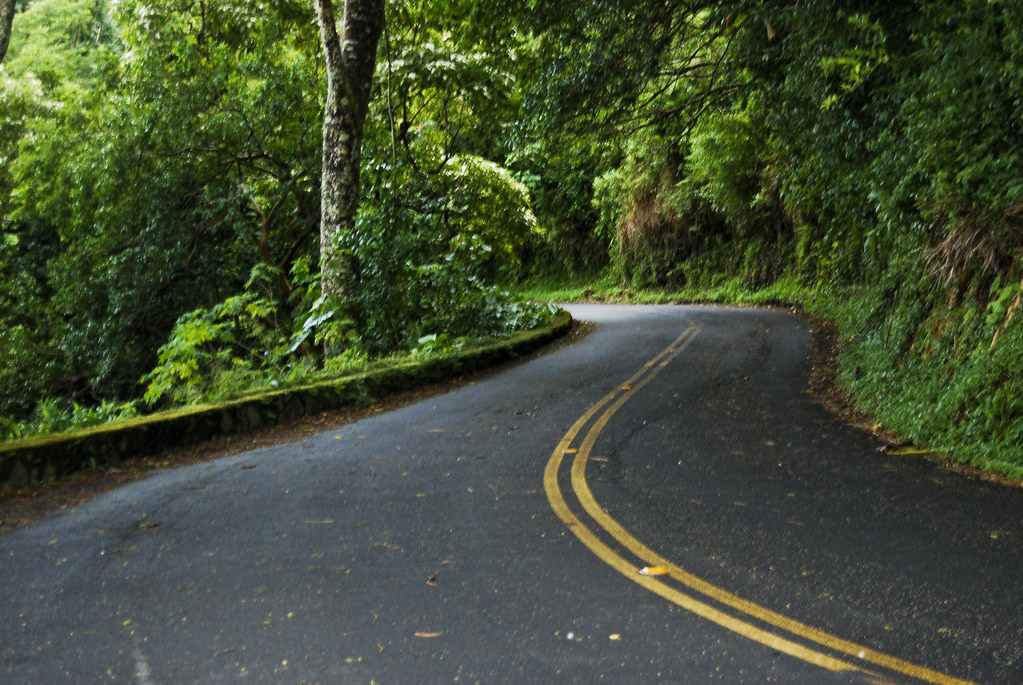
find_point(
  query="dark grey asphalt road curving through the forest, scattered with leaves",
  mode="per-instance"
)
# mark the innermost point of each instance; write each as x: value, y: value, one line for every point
x: 659, y: 503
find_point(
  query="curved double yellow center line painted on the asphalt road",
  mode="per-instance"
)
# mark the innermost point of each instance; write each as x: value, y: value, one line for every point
x: 679, y: 586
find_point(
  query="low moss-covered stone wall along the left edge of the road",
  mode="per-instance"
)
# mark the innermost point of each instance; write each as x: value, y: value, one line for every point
x: 51, y: 458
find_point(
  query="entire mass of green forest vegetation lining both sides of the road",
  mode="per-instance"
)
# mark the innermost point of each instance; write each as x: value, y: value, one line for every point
x: 160, y: 185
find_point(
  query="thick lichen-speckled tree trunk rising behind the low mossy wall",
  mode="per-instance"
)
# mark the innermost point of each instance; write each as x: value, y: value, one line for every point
x: 351, y: 60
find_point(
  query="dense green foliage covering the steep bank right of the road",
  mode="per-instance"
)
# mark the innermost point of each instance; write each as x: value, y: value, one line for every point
x: 866, y: 154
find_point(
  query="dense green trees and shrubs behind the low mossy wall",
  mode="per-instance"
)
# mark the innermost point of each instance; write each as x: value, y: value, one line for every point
x: 160, y: 199
